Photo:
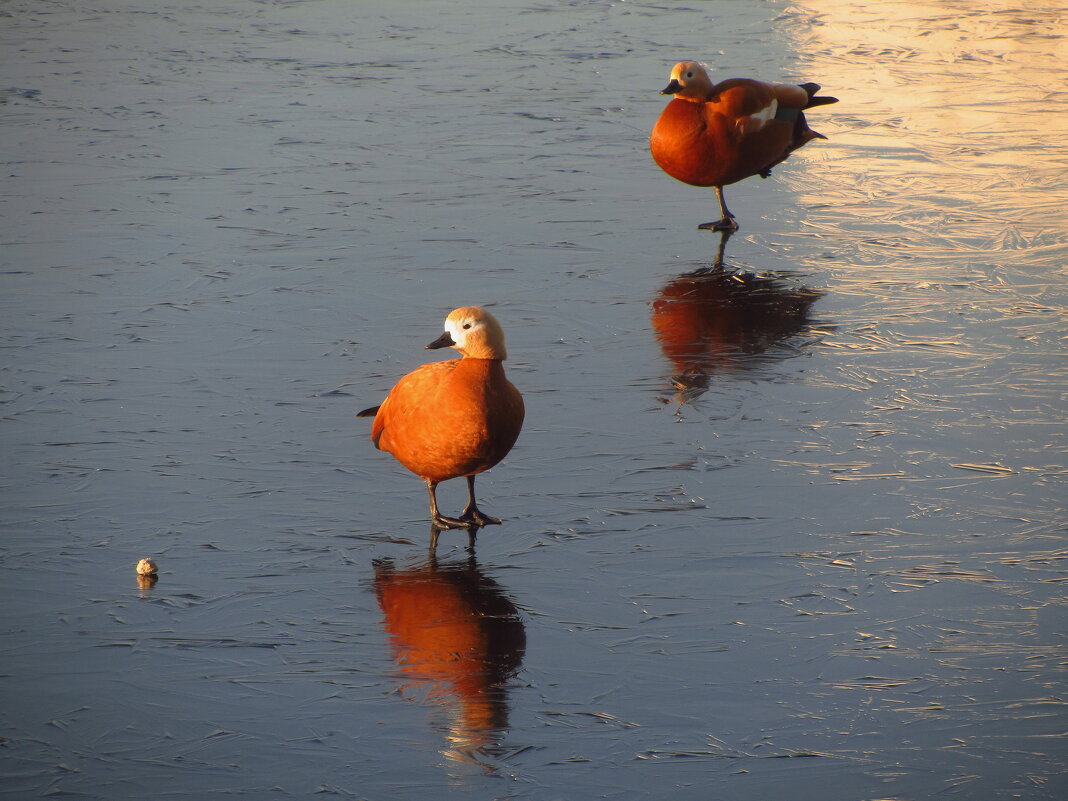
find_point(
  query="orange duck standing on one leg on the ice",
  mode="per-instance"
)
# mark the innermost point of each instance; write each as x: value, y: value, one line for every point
x: 718, y: 135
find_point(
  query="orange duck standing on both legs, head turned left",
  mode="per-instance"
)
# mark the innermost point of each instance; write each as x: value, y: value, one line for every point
x: 457, y: 418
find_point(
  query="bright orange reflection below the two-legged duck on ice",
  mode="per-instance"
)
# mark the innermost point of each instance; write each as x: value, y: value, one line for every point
x: 459, y: 639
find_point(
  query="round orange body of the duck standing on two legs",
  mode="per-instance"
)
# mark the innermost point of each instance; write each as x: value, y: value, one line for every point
x: 451, y: 419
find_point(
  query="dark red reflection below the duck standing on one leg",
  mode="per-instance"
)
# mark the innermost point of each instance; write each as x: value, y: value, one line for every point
x: 717, y: 320
